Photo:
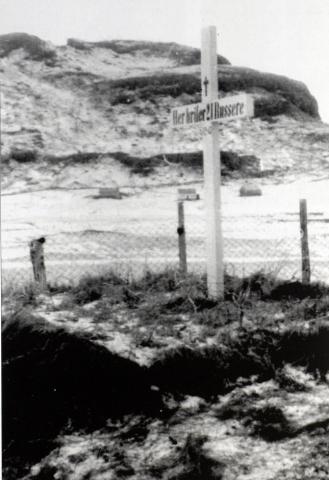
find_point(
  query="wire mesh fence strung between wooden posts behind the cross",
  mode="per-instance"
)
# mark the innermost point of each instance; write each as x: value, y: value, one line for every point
x: 149, y: 242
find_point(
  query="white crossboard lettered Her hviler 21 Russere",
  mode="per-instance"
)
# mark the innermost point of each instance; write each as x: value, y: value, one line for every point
x: 223, y: 109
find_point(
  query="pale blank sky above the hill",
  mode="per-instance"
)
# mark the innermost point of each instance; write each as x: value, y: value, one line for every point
x: 289, y: 37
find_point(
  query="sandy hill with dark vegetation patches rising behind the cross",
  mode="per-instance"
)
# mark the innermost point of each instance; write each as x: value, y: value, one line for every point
x: 108, y: 103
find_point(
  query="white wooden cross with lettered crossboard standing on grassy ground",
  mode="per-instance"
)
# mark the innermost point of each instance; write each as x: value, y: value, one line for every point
x: 212, y: 110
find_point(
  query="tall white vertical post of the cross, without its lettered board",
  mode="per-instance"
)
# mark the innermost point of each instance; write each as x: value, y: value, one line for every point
x: 211, y: 166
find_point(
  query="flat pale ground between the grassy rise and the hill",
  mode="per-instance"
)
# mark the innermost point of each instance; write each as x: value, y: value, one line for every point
x: 85, y: 235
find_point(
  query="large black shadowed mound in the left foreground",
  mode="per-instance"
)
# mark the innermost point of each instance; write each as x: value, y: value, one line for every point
x: 52, y: 378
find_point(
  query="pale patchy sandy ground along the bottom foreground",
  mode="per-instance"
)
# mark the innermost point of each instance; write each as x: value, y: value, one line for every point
x: 243, y: 457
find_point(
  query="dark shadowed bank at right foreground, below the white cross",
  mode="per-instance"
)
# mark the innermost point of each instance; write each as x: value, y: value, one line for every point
x: 210, y: 371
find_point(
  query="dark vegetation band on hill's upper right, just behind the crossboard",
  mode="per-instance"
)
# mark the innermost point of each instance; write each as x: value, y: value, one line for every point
x: 279, y: 95
